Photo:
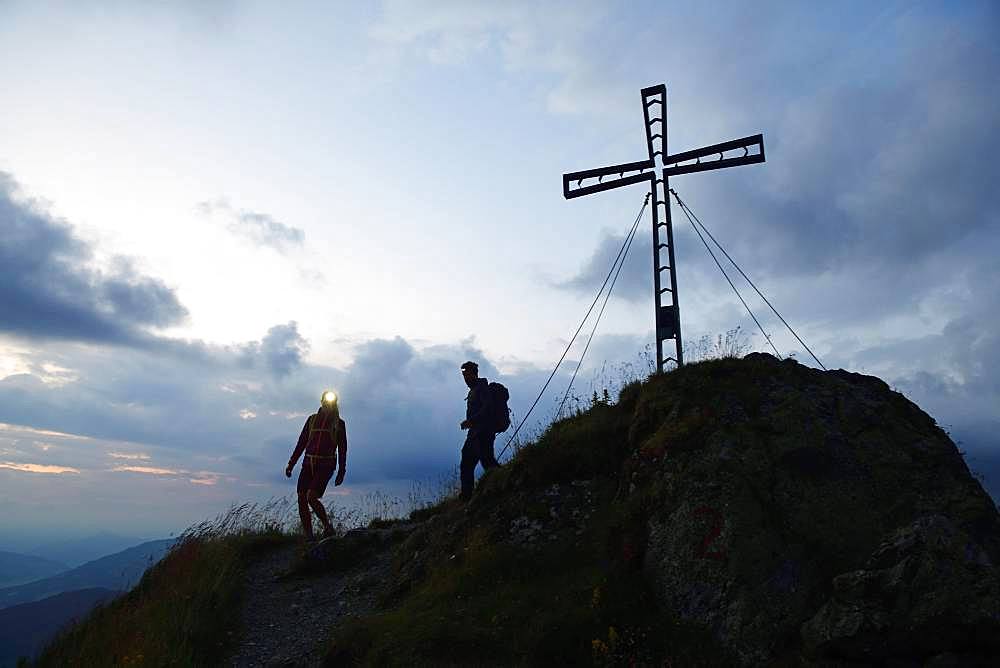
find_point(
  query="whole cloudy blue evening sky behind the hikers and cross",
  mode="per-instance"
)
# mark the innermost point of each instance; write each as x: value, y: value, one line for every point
x: 209, y: 212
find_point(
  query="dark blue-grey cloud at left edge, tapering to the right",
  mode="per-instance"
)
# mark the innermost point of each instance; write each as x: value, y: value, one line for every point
x: 48, y: 288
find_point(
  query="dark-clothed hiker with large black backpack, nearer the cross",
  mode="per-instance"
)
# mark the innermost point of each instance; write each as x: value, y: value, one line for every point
x: 486, y: 414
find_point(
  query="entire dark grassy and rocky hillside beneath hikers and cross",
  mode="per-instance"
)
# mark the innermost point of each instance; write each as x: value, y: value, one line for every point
x: 733, y: 512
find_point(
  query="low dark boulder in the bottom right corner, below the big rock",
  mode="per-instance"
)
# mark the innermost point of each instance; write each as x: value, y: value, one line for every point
x: 928, y: 589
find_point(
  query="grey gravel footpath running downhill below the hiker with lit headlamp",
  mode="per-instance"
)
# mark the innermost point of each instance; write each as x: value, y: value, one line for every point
x: 286, y: 621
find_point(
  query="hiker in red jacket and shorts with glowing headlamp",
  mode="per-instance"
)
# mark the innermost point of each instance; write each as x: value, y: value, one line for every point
x: 324, y: 441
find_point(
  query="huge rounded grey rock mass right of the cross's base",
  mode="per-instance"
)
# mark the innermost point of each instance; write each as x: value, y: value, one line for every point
x: 792, y: 508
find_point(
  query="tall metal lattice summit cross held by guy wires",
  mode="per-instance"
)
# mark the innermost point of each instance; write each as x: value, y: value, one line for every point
x: 668, y: 316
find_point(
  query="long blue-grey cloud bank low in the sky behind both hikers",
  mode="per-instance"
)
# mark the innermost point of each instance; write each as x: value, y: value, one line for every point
x: 402, y: 404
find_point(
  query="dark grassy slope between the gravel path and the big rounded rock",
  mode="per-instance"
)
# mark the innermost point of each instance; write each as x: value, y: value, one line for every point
x: 469, y: 588
